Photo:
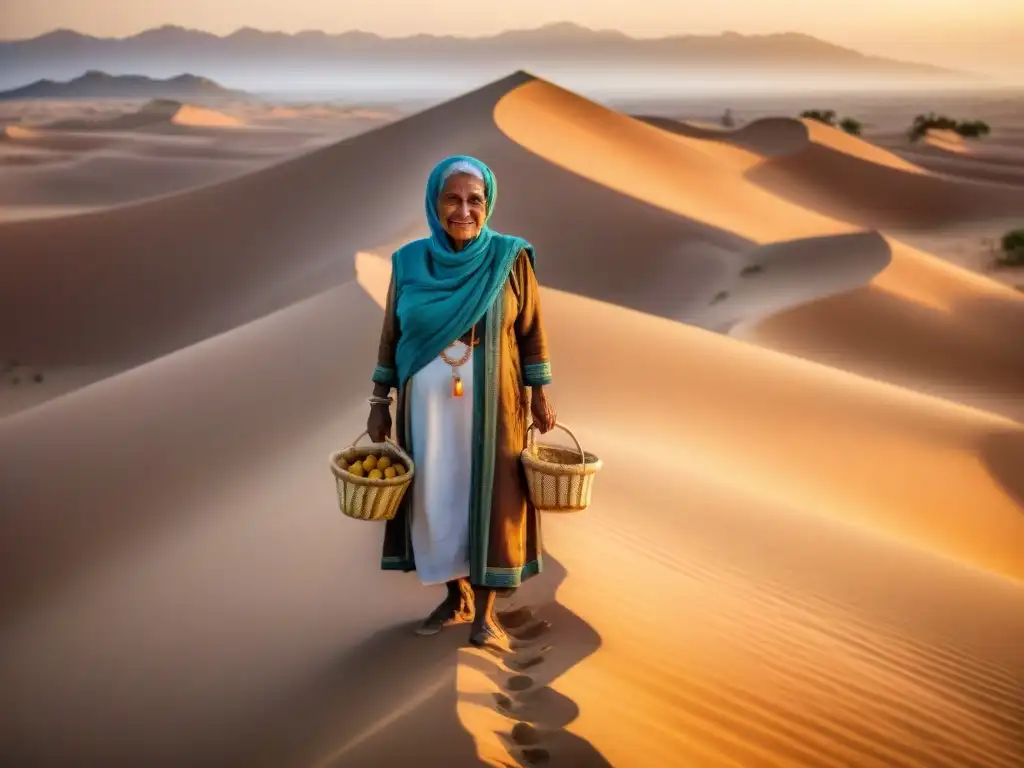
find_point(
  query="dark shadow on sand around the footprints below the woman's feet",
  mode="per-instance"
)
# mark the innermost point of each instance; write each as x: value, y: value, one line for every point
x: 394, y: 700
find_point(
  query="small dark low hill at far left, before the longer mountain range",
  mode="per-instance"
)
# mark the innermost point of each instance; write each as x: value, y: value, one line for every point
x: 95, y: 84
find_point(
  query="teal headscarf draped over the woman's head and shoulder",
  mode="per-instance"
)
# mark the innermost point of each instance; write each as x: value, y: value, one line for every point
x: 442, y: 293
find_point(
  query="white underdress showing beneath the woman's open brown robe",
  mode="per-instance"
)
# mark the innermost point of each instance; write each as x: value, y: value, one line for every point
x: 443, y: 441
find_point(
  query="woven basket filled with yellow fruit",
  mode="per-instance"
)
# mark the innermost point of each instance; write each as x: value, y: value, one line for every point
x: 364, y: 499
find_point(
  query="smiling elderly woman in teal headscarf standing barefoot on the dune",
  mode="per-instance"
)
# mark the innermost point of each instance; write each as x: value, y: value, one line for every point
x: 462, y: 342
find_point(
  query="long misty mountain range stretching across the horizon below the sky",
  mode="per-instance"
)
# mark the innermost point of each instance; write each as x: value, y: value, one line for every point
x: 64, y: 54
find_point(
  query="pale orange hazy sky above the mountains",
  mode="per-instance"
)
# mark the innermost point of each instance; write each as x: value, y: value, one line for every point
x: 987, y: 33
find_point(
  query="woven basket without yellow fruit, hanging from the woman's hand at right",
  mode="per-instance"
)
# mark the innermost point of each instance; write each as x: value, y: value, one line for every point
x: 560, y: 480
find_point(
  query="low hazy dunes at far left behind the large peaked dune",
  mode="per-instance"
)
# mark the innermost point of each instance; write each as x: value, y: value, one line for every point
x: 88, y: 156
